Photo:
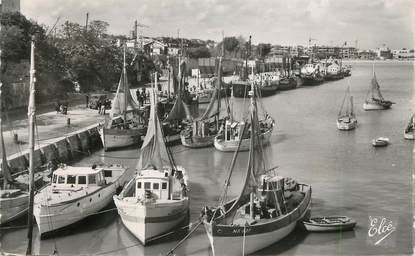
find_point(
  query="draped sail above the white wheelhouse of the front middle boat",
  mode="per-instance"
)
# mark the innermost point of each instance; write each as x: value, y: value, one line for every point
x: 153, y: 151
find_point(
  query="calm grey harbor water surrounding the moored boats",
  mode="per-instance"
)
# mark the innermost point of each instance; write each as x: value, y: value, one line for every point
x: 348, y: 176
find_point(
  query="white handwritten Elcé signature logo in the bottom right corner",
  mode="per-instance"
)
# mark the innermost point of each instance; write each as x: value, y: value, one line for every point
x: 381, y: 231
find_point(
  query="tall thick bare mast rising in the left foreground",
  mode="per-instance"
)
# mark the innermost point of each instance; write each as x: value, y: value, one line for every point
x: 31, y: 116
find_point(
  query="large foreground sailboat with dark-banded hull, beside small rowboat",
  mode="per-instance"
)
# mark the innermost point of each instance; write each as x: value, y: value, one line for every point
x: 266, y: 208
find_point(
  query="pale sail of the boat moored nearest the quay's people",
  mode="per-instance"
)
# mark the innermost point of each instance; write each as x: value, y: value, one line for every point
x: 123, y: 101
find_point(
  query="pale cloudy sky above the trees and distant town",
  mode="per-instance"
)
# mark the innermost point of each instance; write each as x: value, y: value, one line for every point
x: 366, y: 23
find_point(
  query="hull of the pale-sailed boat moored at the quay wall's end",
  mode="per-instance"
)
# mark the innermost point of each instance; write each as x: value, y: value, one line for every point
x: 117, y: 138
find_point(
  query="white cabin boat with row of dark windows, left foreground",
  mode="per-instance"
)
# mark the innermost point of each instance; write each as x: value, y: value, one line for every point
x: 76, y: 193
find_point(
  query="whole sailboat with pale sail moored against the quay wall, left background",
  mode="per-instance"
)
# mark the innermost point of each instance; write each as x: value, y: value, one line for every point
x: 127, y: 122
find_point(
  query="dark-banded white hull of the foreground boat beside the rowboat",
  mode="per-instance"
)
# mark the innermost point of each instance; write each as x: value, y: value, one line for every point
x: 240, y: 240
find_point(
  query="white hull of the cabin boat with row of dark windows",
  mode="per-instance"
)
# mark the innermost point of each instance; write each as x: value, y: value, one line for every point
x: 50, y: 218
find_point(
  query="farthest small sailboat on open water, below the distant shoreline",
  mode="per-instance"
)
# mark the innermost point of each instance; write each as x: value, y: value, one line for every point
x: 374, y: 99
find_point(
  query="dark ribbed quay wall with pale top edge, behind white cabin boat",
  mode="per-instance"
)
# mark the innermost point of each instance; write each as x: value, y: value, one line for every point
x: 65, y: 149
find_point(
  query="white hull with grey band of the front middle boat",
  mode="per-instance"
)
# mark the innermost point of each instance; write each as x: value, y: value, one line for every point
x: 148, y: 221
